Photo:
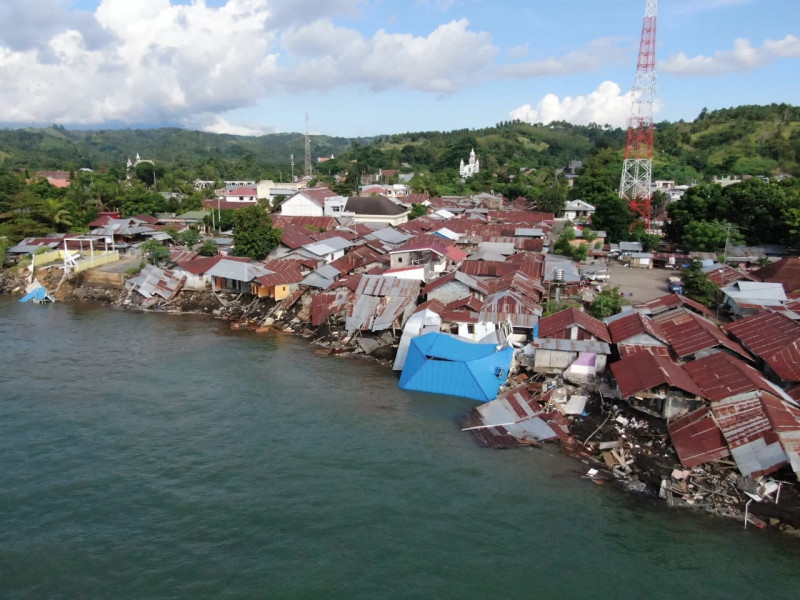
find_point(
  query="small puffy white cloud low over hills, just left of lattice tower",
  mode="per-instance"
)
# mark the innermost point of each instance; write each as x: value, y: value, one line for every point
x: 605, y: 105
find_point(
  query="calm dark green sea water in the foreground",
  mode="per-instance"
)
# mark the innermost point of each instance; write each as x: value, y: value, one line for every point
x: 162, y: 456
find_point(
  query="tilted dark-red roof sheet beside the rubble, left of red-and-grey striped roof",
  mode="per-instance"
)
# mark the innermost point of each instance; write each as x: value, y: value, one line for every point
x: 697, y: 438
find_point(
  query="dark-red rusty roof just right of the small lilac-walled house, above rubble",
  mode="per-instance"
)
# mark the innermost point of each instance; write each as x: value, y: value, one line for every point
x: 644, y: 371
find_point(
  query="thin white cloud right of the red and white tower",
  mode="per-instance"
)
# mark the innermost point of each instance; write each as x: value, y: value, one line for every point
x: 743, y: 57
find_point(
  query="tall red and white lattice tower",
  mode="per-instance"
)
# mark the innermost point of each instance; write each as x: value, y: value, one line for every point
x: 637, y: 170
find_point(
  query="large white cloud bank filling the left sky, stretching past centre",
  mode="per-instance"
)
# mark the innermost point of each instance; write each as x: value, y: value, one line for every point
x: 152, y: 61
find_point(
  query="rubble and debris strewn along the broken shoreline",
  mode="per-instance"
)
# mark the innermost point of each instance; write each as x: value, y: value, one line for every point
x: 653, y: 461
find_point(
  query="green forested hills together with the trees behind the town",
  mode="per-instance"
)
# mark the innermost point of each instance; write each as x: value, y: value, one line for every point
x: 517, y: 160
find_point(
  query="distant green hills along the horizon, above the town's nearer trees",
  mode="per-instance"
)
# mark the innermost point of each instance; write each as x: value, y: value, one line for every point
x: 747, y: 140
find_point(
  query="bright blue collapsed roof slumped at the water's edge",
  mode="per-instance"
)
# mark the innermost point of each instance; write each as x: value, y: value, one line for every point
x: 441, y: 364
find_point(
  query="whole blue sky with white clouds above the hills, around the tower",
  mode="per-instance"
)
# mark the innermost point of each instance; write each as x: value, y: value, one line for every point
x: 371, y: 67
